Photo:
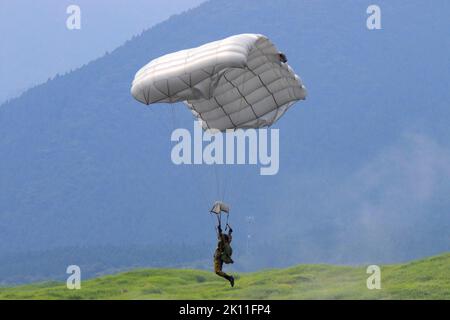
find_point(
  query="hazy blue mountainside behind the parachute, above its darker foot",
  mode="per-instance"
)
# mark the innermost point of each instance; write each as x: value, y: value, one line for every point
x: 363, y: 164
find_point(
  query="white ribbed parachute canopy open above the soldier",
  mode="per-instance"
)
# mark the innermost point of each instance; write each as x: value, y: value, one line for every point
x: 239, y: 82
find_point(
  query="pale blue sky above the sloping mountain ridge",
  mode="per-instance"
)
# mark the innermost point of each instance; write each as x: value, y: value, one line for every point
x: 36, y: 43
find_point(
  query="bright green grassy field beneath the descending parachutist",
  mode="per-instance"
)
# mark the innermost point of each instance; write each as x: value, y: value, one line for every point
x: 423, y: 279
